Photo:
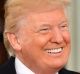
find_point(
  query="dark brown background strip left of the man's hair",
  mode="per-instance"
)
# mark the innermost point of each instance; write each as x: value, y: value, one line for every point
x: 3, y: 52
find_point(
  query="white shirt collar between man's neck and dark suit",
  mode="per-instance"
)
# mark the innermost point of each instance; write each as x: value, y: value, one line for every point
x: 21, y: 68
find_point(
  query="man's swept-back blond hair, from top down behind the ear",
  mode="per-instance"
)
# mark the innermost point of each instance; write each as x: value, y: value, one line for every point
x: 14, y: 9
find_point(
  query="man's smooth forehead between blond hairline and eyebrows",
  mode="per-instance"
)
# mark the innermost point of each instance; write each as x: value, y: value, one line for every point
x: 56, y: 15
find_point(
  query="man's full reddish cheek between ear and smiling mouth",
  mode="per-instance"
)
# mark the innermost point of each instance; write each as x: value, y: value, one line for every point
x: 33, y: 45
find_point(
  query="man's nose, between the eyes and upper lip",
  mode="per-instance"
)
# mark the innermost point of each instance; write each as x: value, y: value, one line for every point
x: 56, y: 36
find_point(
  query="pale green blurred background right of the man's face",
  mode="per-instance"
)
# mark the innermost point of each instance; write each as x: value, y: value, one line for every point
x: 74, y: 18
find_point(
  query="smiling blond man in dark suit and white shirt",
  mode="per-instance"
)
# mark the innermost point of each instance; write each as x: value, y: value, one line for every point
x: 37, y: 33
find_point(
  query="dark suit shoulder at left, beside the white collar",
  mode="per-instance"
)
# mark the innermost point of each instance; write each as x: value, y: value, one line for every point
x: 8, y: 67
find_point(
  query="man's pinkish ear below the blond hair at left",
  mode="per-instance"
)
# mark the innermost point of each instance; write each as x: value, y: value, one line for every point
x: 13, y: 41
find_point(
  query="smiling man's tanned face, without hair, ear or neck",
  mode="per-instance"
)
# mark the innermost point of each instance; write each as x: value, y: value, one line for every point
x: 44, y: 39
